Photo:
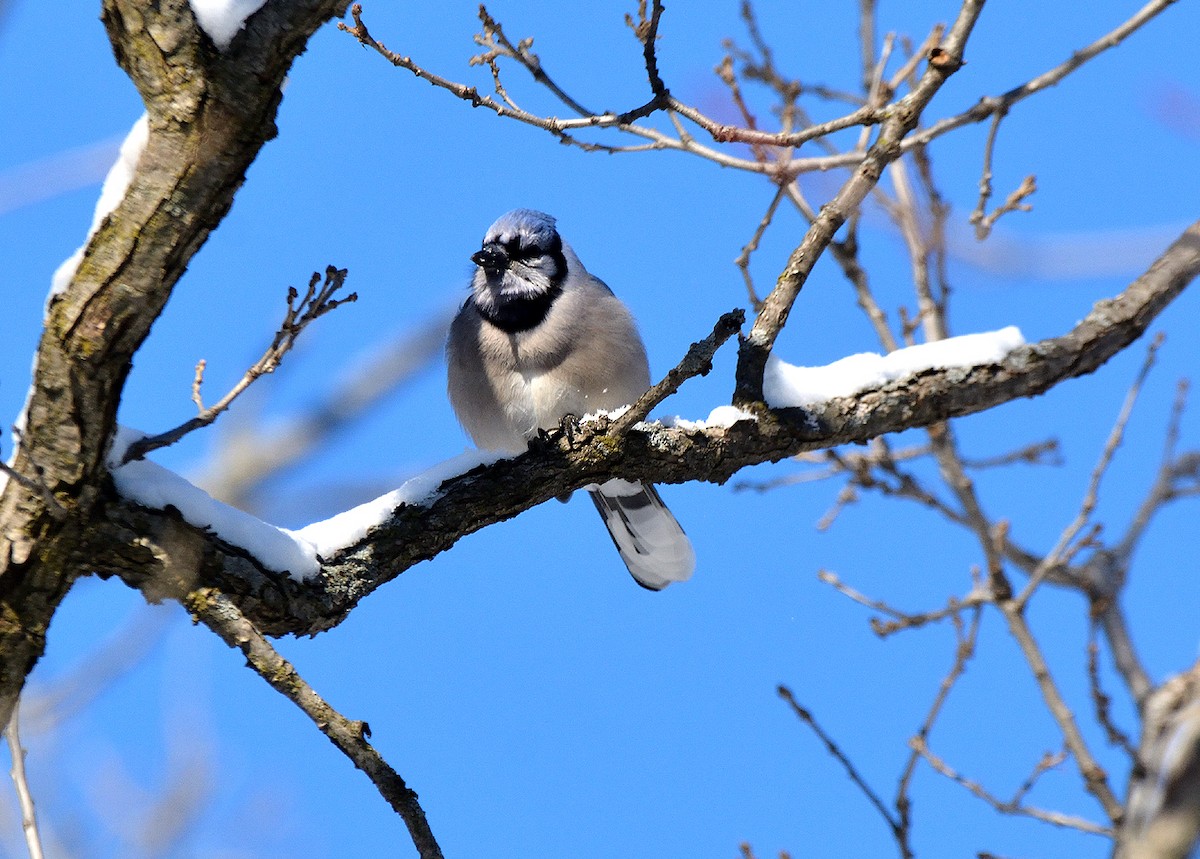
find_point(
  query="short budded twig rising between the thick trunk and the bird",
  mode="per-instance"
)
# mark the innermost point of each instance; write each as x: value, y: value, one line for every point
x: 315, y: 304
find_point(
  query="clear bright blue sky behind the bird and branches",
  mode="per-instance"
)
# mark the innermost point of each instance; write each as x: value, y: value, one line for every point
x: 539, y: 702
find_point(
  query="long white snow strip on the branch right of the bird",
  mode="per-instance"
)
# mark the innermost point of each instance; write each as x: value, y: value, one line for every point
x: 785, y: 386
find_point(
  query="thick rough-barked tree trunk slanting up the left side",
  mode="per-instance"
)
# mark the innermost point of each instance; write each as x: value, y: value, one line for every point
x: 209, y: 116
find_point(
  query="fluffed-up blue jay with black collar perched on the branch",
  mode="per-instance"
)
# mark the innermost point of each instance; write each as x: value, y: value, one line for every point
x: 541, y: 339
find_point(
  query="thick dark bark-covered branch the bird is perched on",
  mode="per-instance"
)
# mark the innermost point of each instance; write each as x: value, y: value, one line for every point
x: 469, y: 503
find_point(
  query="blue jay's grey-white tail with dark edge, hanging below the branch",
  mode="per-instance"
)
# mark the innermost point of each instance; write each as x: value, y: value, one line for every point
x: 651, y: 542
